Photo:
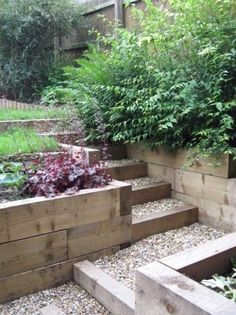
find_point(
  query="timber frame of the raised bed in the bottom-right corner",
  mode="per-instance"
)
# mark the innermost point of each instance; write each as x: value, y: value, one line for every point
x: 172, y: 285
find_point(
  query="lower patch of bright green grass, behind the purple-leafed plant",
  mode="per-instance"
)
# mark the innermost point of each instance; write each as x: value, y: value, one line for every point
x: 20, y: 140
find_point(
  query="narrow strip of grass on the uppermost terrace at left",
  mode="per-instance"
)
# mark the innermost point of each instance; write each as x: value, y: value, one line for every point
x: 36, y: 113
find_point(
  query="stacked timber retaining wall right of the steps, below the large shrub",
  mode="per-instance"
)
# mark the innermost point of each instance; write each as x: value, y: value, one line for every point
x: 212, y: 189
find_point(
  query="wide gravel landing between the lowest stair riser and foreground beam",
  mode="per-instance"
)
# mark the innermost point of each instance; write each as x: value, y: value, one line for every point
x: 123, y: 264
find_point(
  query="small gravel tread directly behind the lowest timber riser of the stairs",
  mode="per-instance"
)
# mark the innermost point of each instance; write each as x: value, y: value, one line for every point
x: 156, y: 206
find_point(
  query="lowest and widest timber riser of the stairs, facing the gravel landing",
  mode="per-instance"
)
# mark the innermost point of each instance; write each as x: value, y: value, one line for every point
x: 154, y: 223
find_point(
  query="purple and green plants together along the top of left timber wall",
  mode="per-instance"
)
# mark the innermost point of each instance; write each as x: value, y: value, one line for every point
x: 50, y: 175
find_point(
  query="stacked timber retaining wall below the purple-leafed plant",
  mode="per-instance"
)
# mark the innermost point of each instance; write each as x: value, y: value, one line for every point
x: 40, y: 239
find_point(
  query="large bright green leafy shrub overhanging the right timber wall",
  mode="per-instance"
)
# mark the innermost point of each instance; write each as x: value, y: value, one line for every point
x: 172, y: 82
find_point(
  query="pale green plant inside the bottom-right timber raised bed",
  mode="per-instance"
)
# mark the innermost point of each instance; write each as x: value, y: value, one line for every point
x: 224, y: 285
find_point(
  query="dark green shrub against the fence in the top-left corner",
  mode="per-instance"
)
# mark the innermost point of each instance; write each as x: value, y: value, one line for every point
x: 27, y: 31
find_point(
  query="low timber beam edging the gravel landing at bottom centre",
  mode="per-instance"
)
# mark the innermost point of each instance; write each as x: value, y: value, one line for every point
x: 115, y: 296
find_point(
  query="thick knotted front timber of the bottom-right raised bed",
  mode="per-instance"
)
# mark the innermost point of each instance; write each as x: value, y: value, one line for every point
x: 162, y: 290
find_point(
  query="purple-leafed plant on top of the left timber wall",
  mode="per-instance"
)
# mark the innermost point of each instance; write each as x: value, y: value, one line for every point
x: 63, y: 174
